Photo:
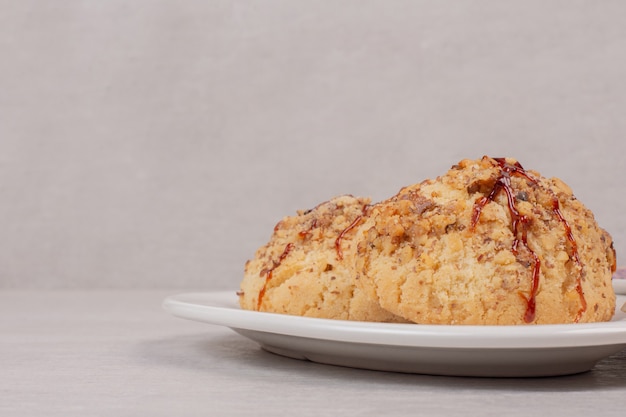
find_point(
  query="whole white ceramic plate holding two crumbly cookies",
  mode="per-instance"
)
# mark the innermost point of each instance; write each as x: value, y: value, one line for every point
x: 495, y: 351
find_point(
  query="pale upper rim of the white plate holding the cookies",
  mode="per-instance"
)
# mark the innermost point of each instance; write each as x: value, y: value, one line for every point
x: 220, y: 308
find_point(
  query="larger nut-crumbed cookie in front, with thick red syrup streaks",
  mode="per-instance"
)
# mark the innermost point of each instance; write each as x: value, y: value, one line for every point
x: 487, y: 243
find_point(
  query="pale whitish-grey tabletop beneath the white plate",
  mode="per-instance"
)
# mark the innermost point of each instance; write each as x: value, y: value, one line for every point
x: 118, y: 353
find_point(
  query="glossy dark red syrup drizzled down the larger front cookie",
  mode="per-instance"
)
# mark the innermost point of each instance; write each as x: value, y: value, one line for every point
x: 519, y: 227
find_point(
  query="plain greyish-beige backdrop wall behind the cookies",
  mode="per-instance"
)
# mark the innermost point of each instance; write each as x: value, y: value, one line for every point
x: 156, y: 143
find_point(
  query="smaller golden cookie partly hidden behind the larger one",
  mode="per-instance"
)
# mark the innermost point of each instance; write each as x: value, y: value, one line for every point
x: 307, y: 267
